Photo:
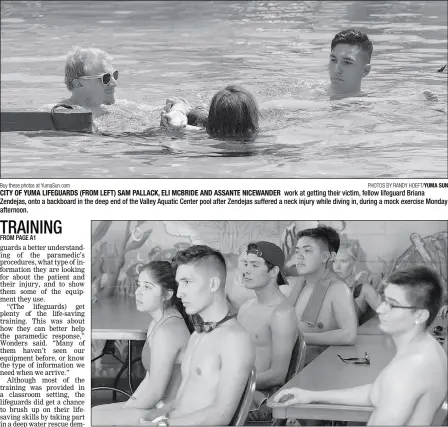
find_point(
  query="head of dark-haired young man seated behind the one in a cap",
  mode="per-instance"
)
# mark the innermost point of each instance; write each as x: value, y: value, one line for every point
x: 315, y: 248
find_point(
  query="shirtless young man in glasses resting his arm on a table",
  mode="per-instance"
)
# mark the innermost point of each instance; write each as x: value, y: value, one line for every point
x: 413, y: 386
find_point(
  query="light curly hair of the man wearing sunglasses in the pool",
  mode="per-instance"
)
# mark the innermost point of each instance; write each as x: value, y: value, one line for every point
x: 79, y: 61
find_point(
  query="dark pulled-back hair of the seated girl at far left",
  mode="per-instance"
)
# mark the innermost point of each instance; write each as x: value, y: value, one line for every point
x: 162, y: 273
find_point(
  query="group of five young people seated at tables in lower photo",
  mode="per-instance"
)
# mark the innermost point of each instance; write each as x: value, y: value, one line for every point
x: 199, y: 379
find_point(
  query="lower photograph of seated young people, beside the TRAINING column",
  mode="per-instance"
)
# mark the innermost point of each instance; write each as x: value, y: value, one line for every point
x: 269, y: 322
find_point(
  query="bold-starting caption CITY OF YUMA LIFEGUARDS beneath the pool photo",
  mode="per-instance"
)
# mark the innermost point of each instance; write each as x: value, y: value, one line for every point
x: 374, y: 194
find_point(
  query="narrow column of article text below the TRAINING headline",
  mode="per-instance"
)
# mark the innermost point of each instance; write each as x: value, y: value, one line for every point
x: 42, y: 335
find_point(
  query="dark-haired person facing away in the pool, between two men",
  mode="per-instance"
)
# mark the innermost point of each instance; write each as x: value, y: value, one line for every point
x: 233, y: 111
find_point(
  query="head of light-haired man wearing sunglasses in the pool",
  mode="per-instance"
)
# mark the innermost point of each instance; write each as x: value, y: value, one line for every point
x: 90, y: 77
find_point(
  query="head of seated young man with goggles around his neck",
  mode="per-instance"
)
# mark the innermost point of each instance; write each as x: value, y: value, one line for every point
x: 201, y: 276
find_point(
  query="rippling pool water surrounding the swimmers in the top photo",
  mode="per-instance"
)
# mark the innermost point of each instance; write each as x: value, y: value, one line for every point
x: 273, y: 48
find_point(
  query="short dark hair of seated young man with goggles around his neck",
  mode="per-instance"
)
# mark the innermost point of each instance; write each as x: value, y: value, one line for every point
x: 202, y: 255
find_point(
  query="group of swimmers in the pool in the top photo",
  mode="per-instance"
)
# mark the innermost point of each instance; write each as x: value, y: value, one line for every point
x: 233, y: 111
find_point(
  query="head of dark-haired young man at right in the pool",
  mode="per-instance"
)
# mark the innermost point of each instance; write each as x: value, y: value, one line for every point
x: 351, y: 51
